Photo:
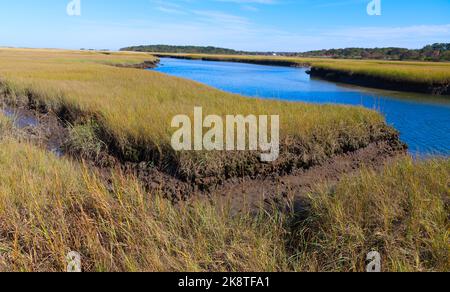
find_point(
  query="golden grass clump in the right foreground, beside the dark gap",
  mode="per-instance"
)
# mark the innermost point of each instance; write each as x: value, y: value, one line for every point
x: 402, y: 213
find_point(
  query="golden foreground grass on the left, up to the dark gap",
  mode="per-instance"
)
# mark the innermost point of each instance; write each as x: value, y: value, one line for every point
x: 51, y: 206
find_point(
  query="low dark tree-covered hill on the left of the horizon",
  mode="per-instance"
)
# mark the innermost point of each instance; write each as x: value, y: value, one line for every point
x: 182, y: 49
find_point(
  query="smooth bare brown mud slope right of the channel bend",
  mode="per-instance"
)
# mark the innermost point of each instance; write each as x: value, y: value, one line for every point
x: 293, y: 188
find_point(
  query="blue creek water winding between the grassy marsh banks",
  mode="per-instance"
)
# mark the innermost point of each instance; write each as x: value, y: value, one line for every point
x: 424, y: 121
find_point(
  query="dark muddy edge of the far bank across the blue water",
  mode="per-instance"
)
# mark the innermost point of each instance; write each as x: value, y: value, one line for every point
x: 334, y: 75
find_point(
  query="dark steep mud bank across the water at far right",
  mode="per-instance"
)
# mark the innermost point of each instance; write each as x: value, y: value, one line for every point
x: 379, y: 82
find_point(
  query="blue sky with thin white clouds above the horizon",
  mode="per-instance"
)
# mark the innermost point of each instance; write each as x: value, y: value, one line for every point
x: 280, y: 25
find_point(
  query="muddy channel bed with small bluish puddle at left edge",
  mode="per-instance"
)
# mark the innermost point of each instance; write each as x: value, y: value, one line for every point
x: 47, y: 131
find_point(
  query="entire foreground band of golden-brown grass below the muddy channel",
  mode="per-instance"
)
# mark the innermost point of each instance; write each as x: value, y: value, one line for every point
x: 50, y: 206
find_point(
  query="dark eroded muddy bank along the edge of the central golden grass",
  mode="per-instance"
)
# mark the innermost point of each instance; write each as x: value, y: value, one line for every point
x: 181, y: 175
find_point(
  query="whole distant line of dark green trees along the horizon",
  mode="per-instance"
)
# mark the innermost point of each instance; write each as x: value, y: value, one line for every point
x: 435, y: 52
